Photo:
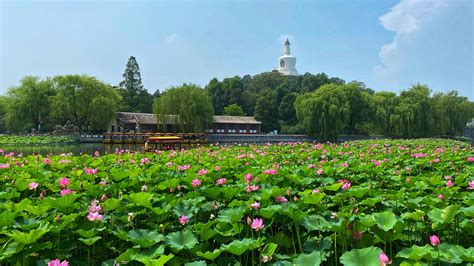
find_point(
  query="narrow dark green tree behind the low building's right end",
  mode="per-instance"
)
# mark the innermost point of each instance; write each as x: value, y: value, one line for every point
x: 266, y: 110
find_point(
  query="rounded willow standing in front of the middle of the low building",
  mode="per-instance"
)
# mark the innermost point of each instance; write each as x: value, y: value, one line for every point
x: 189, y: 107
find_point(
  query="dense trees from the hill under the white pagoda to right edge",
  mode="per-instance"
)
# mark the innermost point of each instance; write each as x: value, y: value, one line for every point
x: 349, y: 108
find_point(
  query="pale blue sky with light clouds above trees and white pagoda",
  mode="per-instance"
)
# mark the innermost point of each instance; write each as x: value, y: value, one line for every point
x: 389, y: 45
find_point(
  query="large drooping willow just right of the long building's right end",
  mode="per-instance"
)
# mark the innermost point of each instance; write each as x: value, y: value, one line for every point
x: 325, y: 112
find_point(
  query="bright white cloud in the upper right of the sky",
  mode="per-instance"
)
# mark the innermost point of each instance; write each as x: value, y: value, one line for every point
x: 405, y: 19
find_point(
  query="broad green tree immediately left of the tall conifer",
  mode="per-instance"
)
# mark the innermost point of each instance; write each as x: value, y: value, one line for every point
x: 84, y: 101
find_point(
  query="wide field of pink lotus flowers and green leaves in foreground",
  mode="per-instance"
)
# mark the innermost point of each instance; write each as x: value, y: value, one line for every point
x: 357, y: 203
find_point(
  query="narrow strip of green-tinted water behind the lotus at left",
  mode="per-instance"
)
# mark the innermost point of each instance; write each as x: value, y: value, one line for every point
x: 84, y: 148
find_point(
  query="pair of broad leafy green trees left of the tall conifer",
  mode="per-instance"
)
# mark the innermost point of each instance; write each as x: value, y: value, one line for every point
x: 38, y: 105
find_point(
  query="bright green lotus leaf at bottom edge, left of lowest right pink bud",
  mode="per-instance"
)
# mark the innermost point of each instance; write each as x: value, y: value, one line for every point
x: 361, y: 257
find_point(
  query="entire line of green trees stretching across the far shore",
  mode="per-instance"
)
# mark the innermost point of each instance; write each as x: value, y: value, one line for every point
x: 313, y: 104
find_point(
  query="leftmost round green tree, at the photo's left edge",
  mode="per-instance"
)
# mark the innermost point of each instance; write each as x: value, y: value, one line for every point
x: 27, y: 106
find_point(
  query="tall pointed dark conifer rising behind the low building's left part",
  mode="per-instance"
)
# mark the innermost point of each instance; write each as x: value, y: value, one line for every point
x: 135, y: 98
